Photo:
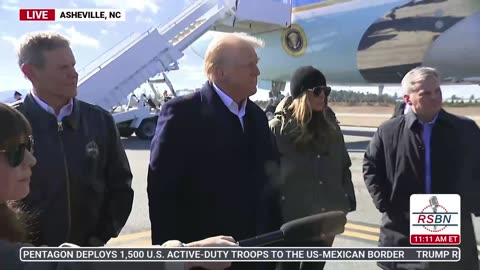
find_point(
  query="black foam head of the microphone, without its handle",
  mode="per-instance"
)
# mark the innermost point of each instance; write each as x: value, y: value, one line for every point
x: 315, y: 227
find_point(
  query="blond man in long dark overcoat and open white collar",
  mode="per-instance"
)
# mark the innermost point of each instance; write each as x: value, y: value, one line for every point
x: 212, y: 154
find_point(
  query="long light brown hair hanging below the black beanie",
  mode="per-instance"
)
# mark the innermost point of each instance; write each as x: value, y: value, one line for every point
x: 310, y: 129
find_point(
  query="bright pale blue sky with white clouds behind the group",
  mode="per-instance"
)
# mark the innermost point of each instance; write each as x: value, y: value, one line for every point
x: 89, y: 40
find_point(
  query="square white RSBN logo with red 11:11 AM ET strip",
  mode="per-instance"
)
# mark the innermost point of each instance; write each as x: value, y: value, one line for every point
x: 435, y: 219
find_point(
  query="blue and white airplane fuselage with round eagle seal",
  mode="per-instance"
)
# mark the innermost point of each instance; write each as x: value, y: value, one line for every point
x: 371, y: 42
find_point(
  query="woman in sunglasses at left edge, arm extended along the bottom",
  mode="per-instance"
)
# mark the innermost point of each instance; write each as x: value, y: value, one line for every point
x: 16, y: 163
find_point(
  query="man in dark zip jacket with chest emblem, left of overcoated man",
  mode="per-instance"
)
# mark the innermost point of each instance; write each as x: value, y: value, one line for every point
x: 81, y: 186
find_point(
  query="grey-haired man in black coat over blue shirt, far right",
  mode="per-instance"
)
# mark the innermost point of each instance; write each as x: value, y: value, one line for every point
x: 425, y: 151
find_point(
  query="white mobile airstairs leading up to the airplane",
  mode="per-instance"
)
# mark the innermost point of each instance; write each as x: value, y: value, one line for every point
x: 109, y: 79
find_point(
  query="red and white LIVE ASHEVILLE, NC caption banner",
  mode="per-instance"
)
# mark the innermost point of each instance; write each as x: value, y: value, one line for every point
x: 72, y: 15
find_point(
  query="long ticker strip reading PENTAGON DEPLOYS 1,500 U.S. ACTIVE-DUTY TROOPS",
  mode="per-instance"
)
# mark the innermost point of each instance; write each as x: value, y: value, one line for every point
x: 246, y: 254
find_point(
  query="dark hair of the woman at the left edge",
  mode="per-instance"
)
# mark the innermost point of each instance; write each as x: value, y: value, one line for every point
x: 12, y: 220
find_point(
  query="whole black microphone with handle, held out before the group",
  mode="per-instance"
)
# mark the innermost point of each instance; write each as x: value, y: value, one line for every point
x: 309, y: 228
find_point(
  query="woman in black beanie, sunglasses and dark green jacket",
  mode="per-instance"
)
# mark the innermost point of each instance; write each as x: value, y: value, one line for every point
x: 314, y: 169
